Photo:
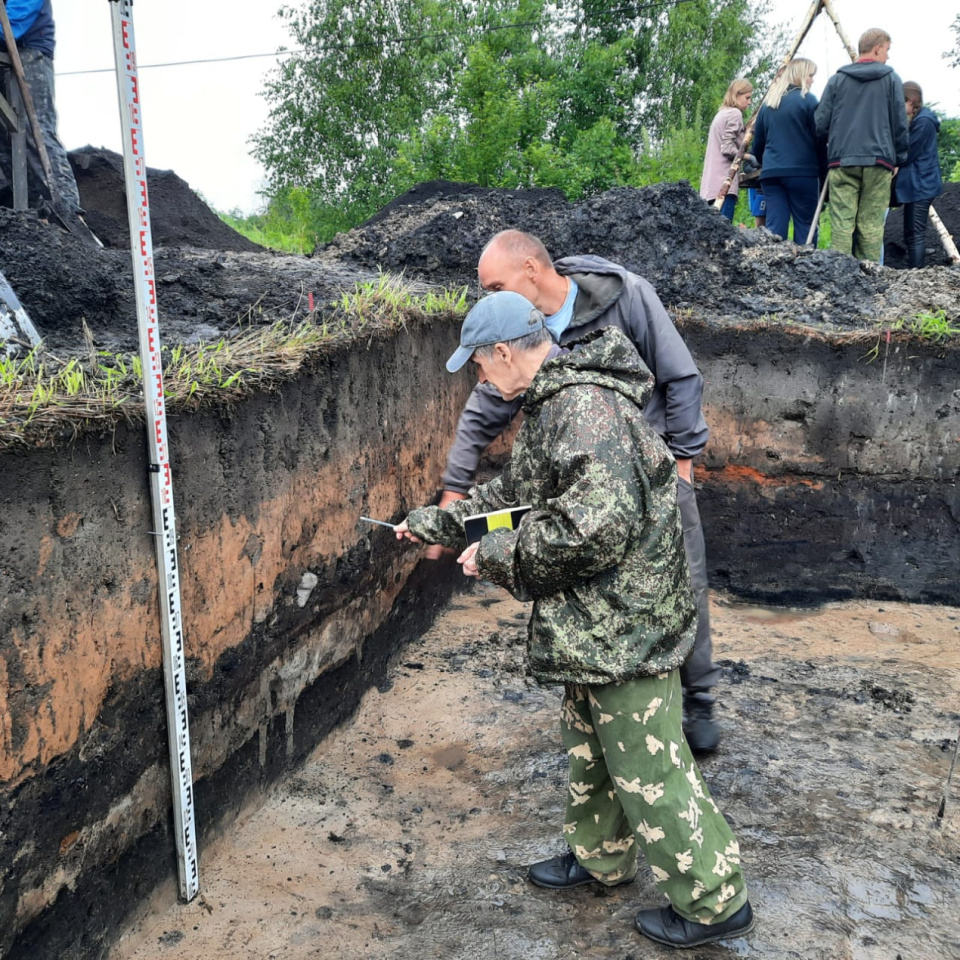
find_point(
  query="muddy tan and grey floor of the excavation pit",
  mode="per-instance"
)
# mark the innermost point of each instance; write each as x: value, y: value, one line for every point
x: 407, y: 833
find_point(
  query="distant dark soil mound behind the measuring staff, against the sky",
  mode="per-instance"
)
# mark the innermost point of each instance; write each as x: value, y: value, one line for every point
x: 178, y: 216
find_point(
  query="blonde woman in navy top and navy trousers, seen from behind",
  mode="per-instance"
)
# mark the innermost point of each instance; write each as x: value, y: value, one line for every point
x: 785, y: 145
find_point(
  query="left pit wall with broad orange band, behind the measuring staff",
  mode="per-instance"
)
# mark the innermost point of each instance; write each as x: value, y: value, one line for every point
x: 291, y: 610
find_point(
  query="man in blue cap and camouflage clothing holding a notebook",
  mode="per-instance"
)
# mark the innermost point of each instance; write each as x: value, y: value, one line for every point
x: 601, y: 555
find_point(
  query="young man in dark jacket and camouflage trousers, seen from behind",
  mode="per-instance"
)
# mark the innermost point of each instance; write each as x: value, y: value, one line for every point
x: 863, y: 119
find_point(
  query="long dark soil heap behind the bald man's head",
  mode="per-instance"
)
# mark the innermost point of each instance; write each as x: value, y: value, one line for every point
x: 696, y: 260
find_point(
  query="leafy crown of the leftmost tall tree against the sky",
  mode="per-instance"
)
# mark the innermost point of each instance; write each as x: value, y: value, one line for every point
x: 342, y: 108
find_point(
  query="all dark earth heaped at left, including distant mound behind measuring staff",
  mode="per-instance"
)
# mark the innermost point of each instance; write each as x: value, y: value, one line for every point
x: 210, y: 280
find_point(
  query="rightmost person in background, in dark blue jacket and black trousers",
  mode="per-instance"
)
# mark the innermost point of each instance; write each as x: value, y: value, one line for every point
x: 918, y: 181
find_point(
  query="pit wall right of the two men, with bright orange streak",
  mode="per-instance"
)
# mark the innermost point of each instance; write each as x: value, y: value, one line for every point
x: 833, y: 463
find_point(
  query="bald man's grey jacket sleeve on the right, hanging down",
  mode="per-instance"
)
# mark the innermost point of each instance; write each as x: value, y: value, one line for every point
x: 681, y: 422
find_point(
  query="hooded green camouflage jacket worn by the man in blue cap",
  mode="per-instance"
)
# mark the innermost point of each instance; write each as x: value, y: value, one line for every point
x: 601, y: 551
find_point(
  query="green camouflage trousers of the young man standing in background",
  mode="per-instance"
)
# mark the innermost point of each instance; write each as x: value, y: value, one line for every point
x: 859, y: 198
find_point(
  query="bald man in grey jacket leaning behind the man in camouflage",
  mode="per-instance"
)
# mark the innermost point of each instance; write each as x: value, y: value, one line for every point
x: 579, y: 295
